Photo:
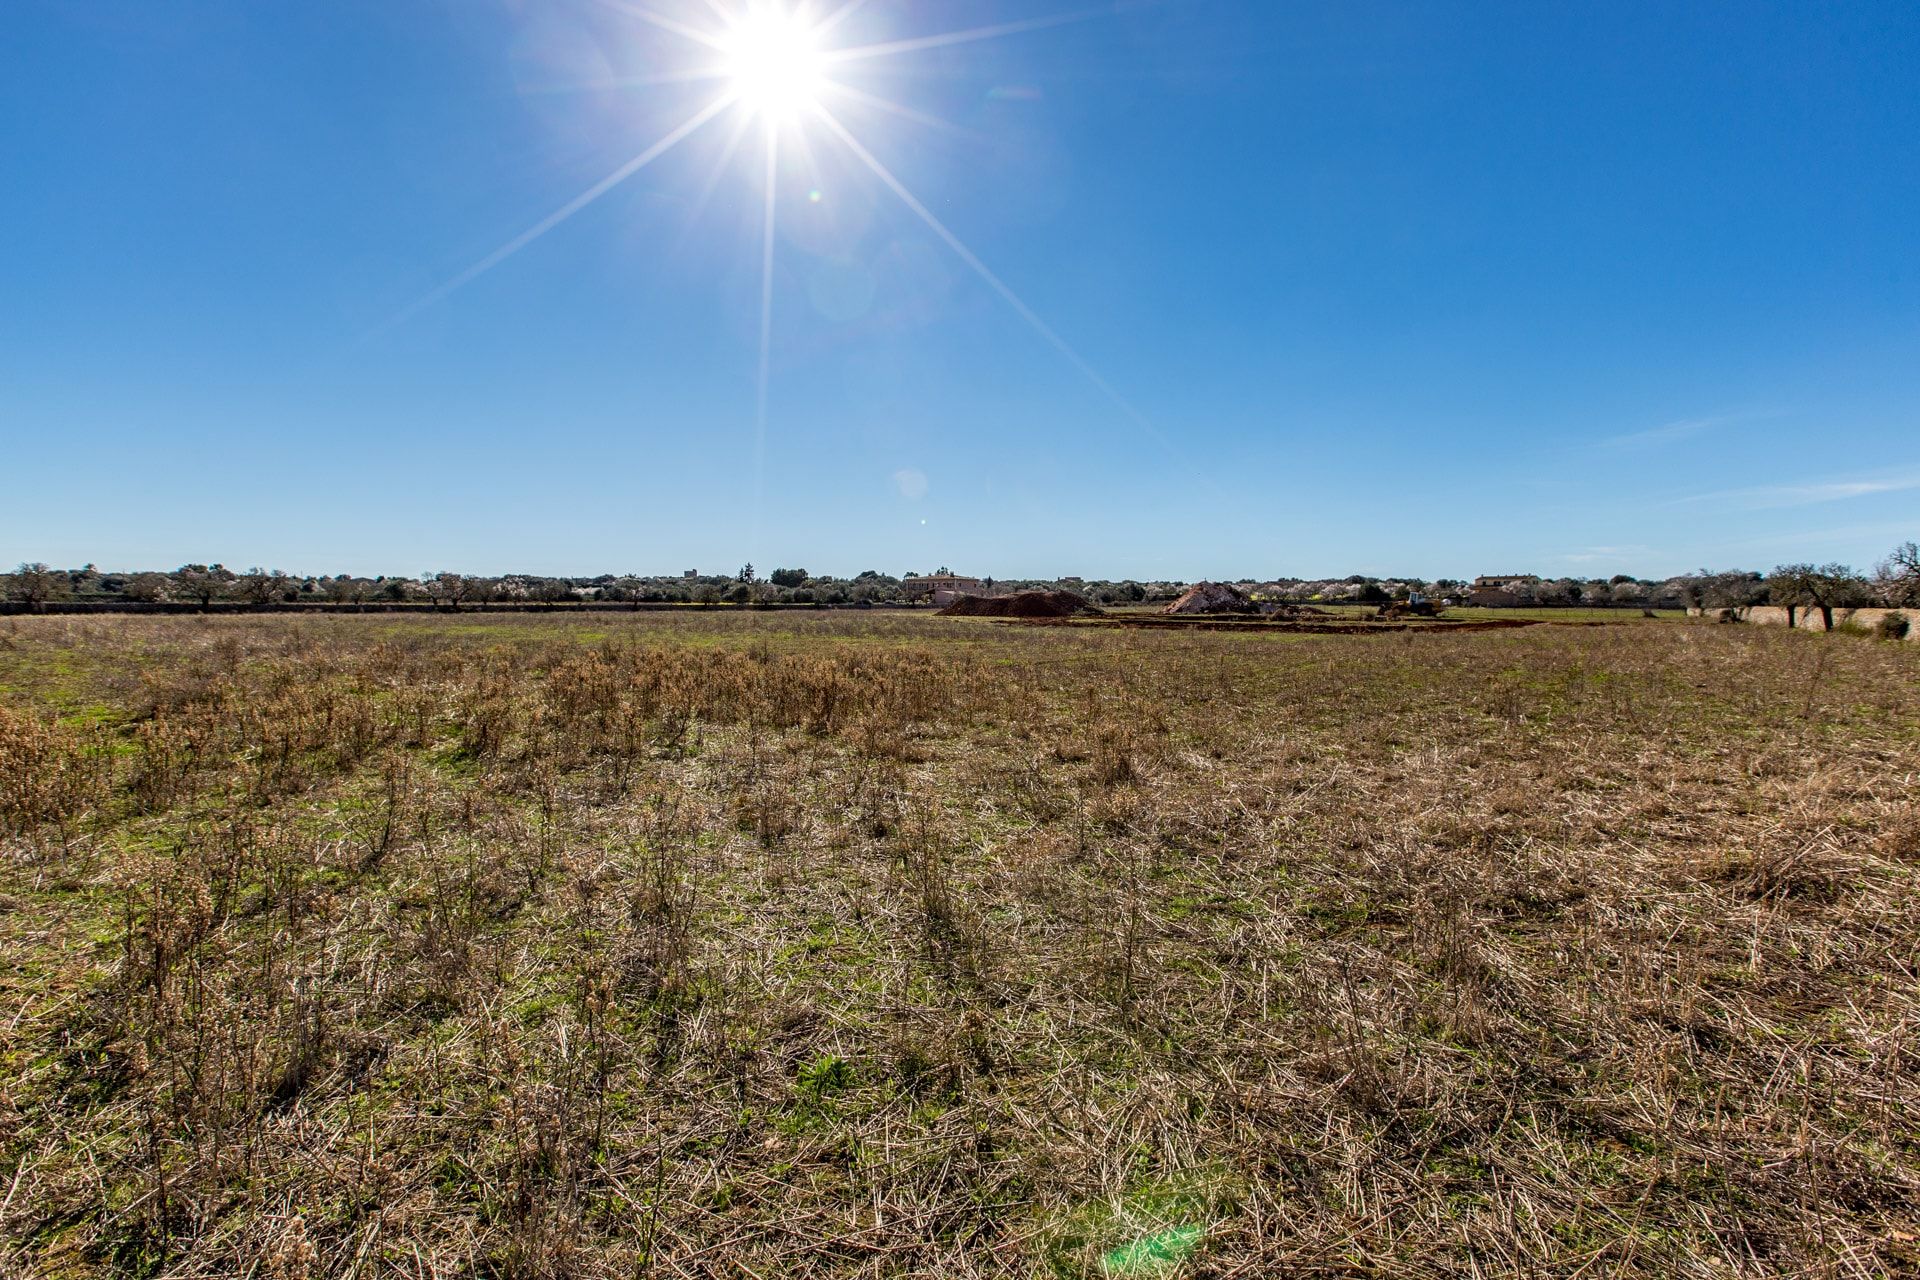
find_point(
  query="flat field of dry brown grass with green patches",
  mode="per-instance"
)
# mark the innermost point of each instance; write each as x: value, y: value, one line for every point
x: 907, y: 947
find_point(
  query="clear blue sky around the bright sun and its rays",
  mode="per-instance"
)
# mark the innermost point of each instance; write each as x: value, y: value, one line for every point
x: 1426, y: 289
